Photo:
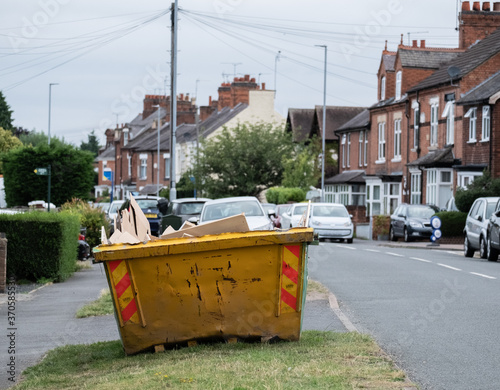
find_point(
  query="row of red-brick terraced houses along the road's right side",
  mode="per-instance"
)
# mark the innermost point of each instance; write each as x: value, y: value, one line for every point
x: 420, y: 140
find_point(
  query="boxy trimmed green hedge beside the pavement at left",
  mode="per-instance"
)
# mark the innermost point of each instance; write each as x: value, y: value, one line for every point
x: 40, y: 245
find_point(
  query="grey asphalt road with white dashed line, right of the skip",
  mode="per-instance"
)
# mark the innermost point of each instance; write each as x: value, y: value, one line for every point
x: 435, y: 312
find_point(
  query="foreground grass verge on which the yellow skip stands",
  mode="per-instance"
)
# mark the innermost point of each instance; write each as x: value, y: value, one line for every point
x: 320, y: 360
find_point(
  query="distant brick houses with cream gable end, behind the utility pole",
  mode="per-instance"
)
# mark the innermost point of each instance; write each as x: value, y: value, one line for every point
x: 131, y: 150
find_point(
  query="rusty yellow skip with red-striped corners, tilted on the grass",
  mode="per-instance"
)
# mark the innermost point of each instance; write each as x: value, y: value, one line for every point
x: 227, y: 286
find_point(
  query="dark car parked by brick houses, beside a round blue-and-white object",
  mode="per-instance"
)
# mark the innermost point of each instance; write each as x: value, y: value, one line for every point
x: 412, y: 221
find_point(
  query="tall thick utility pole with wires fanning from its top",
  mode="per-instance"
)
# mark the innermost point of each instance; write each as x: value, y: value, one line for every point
x: 173, y: 101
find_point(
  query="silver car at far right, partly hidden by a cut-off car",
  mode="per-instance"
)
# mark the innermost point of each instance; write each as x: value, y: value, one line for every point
x: 476, y: 226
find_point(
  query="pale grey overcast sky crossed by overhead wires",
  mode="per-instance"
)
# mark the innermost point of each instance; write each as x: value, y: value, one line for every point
x: 106, y: 55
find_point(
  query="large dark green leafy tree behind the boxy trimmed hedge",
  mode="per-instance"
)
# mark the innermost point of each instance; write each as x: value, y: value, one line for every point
x: 72, y: 174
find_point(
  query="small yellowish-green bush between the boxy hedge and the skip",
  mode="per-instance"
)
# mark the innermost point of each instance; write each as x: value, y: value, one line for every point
x: 92, y: 219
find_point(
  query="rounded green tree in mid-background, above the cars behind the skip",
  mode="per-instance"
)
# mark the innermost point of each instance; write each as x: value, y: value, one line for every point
x: 243, y: 160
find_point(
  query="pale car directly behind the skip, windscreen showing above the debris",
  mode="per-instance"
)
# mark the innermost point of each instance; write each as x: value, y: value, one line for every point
x: 255, y: 215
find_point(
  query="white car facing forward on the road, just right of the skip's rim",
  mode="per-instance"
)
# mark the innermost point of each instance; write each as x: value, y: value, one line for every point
x: 331, y: 220
